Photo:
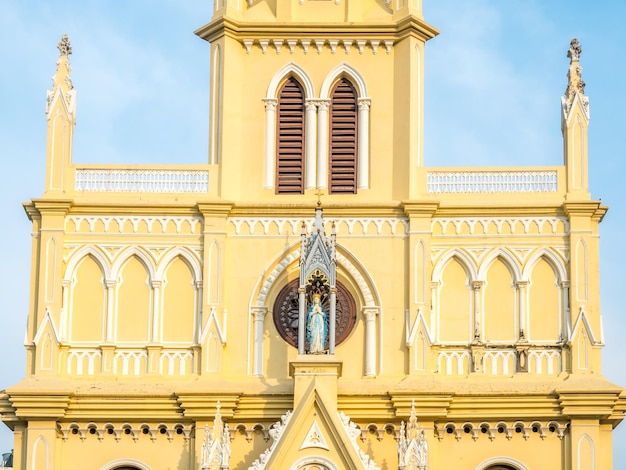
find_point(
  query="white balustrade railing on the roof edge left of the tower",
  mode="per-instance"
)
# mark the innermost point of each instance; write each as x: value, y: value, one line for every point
x: 141, y: 180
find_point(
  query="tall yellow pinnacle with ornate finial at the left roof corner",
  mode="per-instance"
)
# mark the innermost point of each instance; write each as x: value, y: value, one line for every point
x: 60, y: 111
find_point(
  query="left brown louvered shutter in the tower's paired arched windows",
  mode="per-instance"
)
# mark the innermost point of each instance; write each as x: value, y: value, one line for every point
x: 290, y: 139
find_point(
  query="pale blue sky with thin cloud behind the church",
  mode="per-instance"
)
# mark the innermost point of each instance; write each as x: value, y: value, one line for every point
x: 495, y: 73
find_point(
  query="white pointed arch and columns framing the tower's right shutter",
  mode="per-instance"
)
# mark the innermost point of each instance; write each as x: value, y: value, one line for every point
x: 350, y: 74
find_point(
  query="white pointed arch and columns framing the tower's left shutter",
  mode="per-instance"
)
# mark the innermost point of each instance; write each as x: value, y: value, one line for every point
x: 271, y: 102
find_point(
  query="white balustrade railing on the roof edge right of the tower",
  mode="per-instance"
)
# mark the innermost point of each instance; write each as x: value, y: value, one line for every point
x: 521, y: 181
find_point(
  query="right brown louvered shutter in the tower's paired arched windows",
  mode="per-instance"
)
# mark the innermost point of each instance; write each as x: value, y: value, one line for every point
x: 343, y: 138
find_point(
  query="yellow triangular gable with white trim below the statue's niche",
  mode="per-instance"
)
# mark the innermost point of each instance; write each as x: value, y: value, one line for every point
x: 293, y: 446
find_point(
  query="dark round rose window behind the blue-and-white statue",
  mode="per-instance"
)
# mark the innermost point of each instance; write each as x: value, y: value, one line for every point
x: 286, y: 310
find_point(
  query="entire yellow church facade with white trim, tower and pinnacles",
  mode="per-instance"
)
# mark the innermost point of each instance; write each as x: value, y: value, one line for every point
x: 314, y: 297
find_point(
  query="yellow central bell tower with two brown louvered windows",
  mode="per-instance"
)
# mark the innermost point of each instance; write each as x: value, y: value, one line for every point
x: 297, y: 86
